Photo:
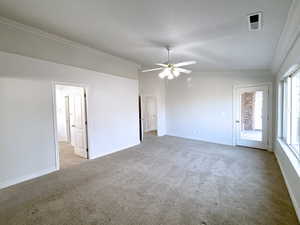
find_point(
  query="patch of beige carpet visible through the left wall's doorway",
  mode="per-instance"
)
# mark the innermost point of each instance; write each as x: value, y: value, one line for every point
x: 67, y: 157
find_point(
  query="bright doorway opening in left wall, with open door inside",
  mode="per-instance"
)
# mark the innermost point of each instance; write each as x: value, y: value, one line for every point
x: 71, y: 119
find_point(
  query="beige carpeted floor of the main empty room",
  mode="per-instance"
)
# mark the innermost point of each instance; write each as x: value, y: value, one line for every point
x: 165, y: 180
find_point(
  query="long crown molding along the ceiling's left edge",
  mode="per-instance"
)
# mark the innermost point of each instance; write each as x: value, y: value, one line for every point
x: 66, y: 42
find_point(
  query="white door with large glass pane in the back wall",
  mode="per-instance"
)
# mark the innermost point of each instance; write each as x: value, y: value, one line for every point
x: 252, y: 117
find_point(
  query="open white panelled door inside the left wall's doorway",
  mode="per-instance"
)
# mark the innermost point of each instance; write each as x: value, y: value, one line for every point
x: 78, y: 122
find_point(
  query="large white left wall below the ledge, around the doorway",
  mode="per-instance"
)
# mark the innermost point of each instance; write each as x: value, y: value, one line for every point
x: 27, y: 127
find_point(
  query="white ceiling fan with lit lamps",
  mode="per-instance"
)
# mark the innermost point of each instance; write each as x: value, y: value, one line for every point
x: 170, y: 70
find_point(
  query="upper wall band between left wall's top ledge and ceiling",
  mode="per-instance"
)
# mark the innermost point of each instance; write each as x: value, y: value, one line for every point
x: 25, y: 40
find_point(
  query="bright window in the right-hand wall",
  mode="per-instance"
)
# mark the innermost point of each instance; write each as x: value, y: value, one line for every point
x: 290, y: 131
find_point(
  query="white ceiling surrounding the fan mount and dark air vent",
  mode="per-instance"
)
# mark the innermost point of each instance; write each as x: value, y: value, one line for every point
x: 213, y: 32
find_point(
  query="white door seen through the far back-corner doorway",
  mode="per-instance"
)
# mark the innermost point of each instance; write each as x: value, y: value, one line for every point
x: 150, y: 114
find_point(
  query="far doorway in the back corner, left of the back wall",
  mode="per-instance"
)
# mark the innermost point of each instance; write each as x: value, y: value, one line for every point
x: 149, y: 115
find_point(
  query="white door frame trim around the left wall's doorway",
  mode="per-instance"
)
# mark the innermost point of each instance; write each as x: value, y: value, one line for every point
x: 56, y: 144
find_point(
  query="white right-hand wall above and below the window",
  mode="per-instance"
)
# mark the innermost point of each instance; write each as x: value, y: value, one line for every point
x: 288, y: 54
